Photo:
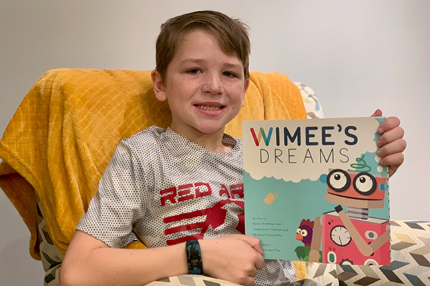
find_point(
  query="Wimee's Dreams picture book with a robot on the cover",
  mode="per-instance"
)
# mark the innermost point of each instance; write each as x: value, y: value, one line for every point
x: 314, y: 190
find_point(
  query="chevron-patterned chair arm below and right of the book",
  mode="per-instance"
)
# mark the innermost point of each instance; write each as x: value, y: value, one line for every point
x: 410, y: 261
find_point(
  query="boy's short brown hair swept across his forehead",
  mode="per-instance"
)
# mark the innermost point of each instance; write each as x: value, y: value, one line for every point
x: 231, y: 34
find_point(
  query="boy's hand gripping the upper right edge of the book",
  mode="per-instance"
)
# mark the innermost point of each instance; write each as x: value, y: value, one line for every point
x: 391, y: 143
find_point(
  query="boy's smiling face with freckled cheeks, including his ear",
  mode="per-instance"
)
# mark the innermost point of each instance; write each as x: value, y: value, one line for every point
x: 205, y: 87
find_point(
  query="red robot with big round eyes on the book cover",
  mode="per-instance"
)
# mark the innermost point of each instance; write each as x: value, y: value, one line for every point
x: 352, y: 237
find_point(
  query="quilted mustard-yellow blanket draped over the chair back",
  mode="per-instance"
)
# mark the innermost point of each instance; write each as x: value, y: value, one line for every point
x: 65, y: 131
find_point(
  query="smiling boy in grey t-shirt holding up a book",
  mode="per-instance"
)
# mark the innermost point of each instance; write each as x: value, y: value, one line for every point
x: 202, y: 71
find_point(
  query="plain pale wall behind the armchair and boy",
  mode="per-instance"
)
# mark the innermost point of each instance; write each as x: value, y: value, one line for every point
x: 357, y: 56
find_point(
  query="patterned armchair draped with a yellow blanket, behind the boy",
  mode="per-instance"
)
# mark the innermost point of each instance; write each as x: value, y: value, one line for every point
x: 58, y: 144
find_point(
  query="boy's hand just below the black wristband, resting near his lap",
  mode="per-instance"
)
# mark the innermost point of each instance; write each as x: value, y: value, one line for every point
x: 234, y: 258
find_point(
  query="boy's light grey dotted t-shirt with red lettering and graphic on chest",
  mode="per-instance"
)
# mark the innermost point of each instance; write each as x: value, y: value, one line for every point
x: 166, y: 189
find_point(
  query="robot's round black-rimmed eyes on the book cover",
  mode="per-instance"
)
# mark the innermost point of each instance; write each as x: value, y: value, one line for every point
x: 339, y: 181
